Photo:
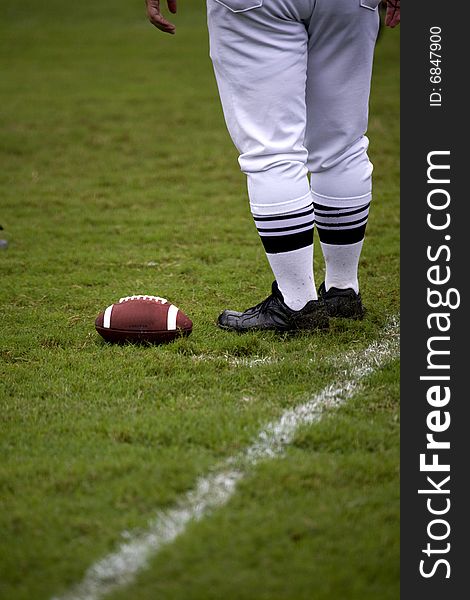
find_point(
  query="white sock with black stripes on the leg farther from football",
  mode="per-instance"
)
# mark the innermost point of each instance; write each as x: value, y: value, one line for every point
x: 341, y: 232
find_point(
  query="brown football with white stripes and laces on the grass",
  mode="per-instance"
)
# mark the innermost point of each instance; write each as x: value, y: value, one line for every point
x: 142, y: 319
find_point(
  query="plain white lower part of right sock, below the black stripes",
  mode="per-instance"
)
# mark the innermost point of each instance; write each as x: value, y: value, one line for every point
x: 341, y: 265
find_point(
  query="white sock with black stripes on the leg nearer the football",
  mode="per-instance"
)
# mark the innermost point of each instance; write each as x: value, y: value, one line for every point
x: 288, y: 241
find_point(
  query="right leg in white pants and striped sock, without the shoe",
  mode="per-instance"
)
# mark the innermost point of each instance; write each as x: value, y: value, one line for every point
x: 342, y: 36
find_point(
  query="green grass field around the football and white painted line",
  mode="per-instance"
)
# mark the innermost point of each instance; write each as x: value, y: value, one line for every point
x: 118, y: 177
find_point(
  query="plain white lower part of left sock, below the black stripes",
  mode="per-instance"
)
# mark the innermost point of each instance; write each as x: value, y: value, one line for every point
x: 294, y: 275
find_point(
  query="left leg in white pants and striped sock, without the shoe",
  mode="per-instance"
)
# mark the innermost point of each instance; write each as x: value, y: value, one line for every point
x: 260, y: 62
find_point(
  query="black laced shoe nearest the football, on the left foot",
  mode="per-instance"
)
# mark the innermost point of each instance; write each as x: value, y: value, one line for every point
x: 274, y: 314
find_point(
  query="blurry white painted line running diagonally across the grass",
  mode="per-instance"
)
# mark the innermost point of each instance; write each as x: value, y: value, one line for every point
x: 214, y: 490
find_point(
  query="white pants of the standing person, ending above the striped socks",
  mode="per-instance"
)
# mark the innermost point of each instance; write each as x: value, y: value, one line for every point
x: 294, y: 80
